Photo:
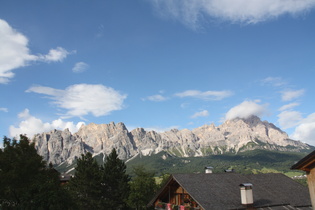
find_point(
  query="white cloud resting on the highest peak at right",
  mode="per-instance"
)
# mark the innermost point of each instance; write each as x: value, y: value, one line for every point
x: 246, y: 109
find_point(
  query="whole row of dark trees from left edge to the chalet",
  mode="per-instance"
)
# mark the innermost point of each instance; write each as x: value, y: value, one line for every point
x: 28, y: 182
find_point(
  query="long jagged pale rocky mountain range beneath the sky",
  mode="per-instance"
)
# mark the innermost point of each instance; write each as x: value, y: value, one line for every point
x: 232, y: 136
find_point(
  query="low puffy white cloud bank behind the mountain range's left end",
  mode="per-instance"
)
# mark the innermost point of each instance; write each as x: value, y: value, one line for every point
x: 31, y: 125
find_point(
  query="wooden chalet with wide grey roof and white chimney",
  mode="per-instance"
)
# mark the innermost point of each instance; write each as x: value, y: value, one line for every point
x: 208, y: 191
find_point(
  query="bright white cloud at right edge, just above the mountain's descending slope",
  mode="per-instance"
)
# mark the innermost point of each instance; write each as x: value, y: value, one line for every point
x: 305, y: 131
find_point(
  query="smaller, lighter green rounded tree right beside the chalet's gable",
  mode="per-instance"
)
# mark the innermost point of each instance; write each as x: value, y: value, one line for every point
x: 142, y: 187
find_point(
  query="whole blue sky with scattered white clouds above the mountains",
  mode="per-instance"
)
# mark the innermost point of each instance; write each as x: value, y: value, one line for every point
x: 156, y: 64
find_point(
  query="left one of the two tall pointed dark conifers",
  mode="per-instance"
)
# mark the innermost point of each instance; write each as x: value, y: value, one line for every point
x: 85, y: 186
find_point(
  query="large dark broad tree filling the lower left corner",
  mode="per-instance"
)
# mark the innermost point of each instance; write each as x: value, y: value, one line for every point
x: 25, y: 181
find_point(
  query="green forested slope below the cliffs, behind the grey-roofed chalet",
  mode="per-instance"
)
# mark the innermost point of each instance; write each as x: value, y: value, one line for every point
x: 258, y: 161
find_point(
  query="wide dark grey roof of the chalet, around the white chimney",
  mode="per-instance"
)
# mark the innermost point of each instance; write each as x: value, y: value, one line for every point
x: 221, y: 191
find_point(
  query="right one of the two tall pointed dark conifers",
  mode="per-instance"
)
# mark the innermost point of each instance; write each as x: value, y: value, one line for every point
x: 115, y: 182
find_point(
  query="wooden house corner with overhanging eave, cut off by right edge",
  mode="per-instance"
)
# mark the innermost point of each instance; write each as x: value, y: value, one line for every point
x: 307, y: 164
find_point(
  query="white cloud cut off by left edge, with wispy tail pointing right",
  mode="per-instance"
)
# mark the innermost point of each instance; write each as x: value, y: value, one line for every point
x: 14, y: 52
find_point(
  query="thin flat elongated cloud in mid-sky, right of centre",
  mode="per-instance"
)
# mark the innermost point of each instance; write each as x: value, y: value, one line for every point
x: 207, y: 95
